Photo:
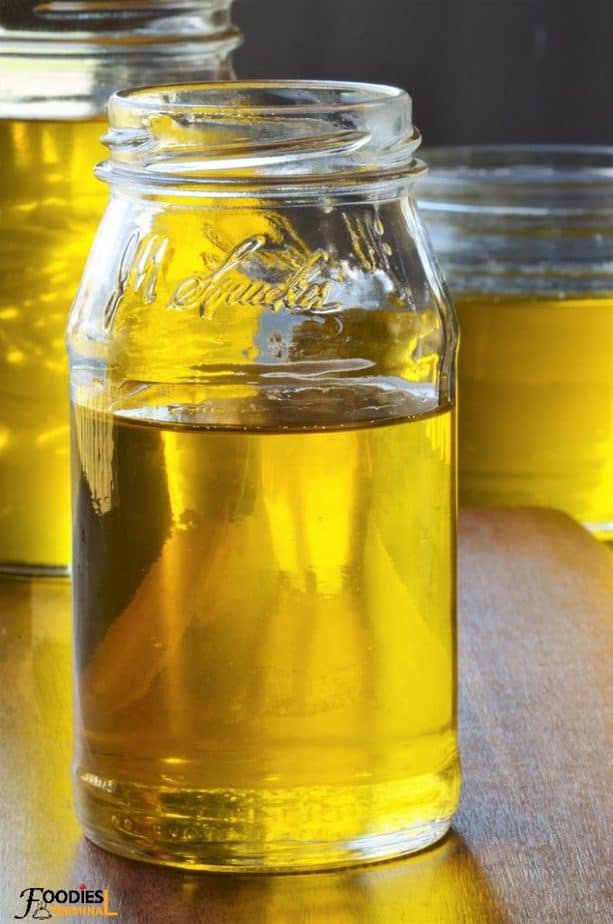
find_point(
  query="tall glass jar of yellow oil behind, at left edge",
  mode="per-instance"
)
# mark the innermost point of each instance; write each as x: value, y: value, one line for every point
x: 60, y: 62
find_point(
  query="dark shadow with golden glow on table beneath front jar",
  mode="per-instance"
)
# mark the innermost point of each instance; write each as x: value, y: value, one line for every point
x: 443, y: 885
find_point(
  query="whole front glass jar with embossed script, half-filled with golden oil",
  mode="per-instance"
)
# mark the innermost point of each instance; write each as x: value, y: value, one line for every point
x: 262, y: 383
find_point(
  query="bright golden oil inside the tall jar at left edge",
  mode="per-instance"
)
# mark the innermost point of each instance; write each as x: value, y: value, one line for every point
x: 50, y: 205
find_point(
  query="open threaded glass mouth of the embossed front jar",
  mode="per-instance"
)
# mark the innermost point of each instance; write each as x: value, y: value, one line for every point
x: 243, y: 137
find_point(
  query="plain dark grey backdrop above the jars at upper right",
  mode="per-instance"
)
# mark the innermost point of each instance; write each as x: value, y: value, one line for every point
x: 478, y: 70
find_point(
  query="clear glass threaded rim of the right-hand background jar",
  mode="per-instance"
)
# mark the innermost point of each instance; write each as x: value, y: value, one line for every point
x: 520, y: 178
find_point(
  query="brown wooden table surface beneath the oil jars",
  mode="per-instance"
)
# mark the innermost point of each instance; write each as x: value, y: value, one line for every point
x: 530, y: 840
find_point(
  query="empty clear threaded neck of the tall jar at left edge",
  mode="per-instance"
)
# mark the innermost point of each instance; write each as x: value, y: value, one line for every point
x: 64, y: 59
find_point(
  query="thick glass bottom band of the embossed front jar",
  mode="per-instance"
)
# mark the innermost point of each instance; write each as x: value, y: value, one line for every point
x: 138, y: 823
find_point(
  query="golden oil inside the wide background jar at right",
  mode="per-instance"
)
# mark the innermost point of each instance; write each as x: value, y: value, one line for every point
x: 536, y: 405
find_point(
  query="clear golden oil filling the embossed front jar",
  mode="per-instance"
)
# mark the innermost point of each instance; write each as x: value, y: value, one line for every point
x: 265, y: 639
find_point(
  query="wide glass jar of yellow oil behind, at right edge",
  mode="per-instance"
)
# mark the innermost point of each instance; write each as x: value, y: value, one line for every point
x: 524, y: 236
